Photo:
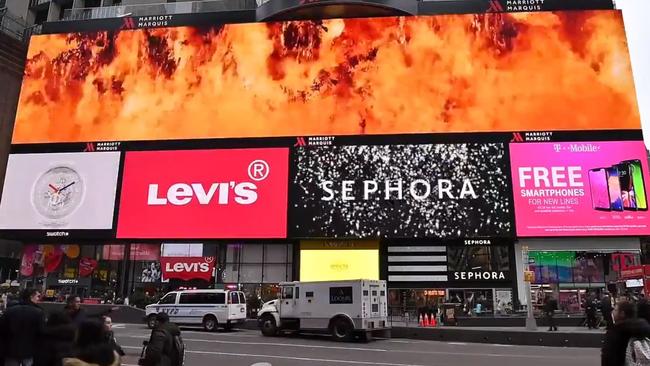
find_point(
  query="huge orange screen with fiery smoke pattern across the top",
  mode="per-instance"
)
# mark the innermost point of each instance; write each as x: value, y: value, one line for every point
x: 453, y: 73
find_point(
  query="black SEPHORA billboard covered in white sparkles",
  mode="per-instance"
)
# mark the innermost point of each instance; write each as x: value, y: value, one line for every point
x: 429, y: 190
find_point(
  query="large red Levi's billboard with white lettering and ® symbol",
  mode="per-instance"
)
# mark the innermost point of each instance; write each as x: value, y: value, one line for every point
x: 231, y: 193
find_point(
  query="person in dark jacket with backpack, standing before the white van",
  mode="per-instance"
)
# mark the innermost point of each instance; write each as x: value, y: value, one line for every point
x: 165, y: 347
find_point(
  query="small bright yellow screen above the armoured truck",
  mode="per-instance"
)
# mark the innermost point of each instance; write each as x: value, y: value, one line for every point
x: 350, y: 261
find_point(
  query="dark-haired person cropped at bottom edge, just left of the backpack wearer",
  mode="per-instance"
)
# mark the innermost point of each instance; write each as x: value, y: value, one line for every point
x: 92, y: 348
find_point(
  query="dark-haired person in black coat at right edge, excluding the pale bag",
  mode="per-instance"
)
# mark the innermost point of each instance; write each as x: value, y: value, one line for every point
x: 626, y: 325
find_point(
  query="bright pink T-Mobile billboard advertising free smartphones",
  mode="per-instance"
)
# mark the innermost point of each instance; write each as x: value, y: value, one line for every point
x: 580, y: 188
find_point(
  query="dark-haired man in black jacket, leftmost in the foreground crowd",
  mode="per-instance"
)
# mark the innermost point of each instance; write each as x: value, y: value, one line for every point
x: 22, y: 326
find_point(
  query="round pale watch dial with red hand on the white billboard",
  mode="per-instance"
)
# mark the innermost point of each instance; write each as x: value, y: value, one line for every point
x: 58, y: 192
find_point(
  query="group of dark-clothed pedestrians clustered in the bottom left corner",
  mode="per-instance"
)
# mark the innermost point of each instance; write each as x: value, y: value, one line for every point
x: 69, y: 338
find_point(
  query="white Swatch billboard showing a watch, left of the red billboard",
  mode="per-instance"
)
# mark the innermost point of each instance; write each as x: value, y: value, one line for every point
x: 59, y: 192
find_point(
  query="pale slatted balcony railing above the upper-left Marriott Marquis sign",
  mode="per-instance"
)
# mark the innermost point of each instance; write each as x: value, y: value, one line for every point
x: 186, y: 7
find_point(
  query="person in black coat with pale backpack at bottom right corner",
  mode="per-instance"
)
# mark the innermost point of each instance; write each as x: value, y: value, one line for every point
x: 628, y: 338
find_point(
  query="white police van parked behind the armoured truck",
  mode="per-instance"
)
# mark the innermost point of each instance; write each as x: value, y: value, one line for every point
x: 210, y: 309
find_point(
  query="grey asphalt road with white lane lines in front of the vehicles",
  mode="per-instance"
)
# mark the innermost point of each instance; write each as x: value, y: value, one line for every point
x: 246, y: 347
